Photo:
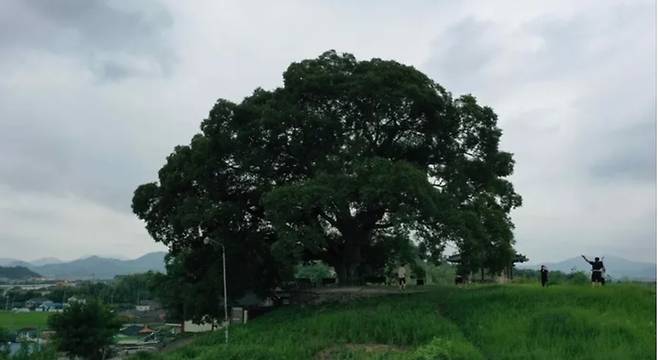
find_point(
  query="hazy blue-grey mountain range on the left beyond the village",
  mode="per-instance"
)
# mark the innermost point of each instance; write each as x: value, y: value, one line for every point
x: 93, y: 267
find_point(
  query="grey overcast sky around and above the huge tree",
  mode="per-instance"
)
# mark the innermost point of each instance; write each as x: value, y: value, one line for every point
x: 95, y: 94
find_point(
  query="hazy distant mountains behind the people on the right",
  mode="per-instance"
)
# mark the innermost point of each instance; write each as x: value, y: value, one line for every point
x: 616, y: 267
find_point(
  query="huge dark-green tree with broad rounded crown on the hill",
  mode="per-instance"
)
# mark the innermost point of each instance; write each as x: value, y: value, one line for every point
x: 350, y: 162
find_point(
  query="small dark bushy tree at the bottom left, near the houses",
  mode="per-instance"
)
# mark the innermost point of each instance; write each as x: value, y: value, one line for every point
x: 85, y: 330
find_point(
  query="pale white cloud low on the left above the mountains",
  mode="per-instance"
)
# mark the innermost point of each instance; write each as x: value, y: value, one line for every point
x: 66, y: 226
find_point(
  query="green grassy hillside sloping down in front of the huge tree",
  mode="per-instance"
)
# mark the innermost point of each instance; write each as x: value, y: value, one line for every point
x: 487, y: 322
